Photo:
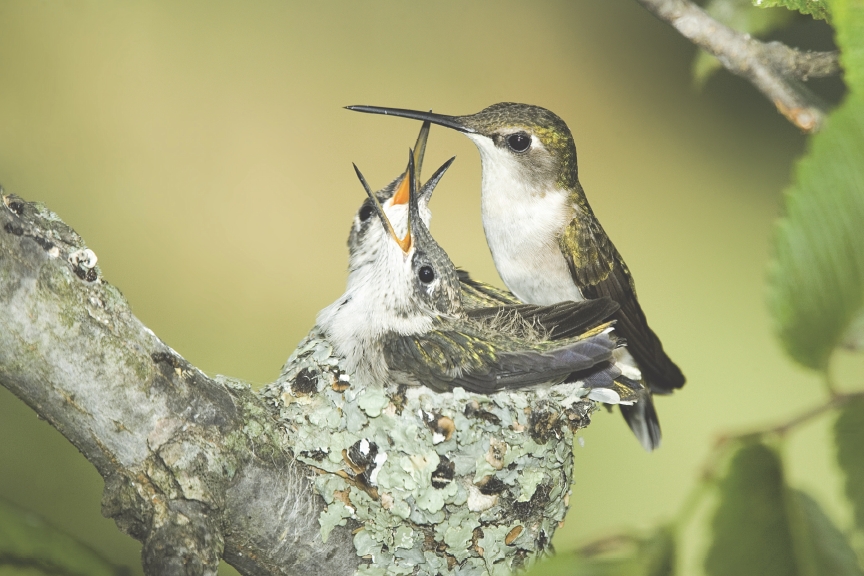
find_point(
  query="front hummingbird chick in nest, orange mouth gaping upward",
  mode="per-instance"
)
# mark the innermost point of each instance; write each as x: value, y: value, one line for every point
x: 401, y: 320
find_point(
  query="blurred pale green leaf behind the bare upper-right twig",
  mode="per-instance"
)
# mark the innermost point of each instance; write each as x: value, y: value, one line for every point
x: 742, y: 16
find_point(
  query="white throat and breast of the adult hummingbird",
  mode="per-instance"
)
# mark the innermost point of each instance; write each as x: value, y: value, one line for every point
x: 522, y: 227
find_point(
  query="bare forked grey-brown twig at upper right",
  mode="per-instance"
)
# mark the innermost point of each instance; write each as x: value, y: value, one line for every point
x: 774, y: 68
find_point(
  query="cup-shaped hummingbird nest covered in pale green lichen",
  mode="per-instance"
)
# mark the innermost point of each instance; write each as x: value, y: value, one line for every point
x: 436, y: 483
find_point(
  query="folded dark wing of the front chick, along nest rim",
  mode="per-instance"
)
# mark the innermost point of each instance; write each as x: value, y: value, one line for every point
x: 445, y: 359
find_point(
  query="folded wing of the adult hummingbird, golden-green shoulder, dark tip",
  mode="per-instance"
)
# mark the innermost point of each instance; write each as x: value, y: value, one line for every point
x: 599, y: 271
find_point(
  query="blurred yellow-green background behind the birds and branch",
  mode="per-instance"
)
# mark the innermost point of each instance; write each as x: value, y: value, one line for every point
x: 202, y: 152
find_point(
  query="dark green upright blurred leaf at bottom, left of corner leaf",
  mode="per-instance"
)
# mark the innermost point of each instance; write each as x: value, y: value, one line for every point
x: 751, y: 530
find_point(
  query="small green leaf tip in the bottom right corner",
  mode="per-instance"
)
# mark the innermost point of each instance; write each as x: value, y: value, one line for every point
x: 821, y: 549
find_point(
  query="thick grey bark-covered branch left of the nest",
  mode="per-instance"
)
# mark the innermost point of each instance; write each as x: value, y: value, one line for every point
x: 195, y: 468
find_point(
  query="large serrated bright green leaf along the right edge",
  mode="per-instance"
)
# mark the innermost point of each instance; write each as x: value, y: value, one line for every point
x: 817, y: 276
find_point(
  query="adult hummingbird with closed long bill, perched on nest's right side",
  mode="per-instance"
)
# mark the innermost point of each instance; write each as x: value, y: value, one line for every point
x: 545, y: 240
